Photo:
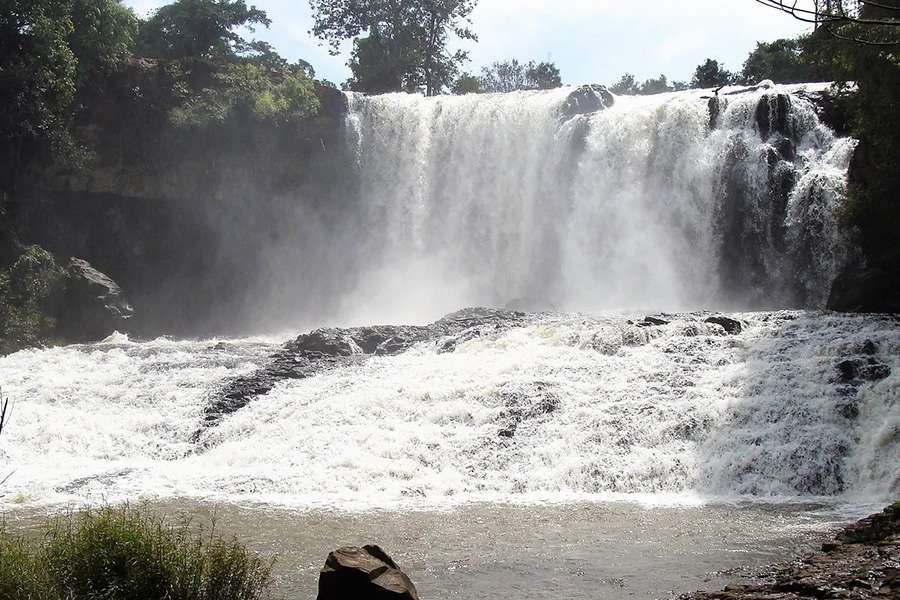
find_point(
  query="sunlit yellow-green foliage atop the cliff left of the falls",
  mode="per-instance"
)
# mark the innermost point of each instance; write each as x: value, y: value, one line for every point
x: 248, y: 89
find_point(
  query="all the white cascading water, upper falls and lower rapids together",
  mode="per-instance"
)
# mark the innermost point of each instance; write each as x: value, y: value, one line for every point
x: 672, y: 201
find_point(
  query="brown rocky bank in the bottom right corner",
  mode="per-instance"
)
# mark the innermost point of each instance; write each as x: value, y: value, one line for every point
x: 862, y: 563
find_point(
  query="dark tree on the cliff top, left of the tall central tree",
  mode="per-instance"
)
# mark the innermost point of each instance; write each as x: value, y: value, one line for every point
x: 199, y: 29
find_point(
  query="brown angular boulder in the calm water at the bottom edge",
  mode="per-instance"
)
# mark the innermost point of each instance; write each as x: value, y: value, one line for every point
x: 366, y: 573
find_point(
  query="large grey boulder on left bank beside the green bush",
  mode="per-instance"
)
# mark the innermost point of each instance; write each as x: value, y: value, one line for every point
x: 94, y: 304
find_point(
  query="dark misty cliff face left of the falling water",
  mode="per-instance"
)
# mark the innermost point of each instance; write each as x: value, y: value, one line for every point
x: 189, y: 228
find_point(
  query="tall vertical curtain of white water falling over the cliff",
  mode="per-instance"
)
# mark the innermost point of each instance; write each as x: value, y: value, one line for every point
x: 498, y: 199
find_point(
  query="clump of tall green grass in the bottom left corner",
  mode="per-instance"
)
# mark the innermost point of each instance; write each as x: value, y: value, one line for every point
x: 123, y: 554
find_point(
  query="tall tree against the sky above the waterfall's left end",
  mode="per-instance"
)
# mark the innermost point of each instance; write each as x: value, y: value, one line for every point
x: 405, y: 42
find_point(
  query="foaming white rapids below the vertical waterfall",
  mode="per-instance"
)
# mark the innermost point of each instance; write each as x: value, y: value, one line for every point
x: 675, y: 414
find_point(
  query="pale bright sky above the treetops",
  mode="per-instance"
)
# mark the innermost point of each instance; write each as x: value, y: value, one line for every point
x: 591, y: 41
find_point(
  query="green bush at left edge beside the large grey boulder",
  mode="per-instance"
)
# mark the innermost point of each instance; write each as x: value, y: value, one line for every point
x: 28, y: 290
